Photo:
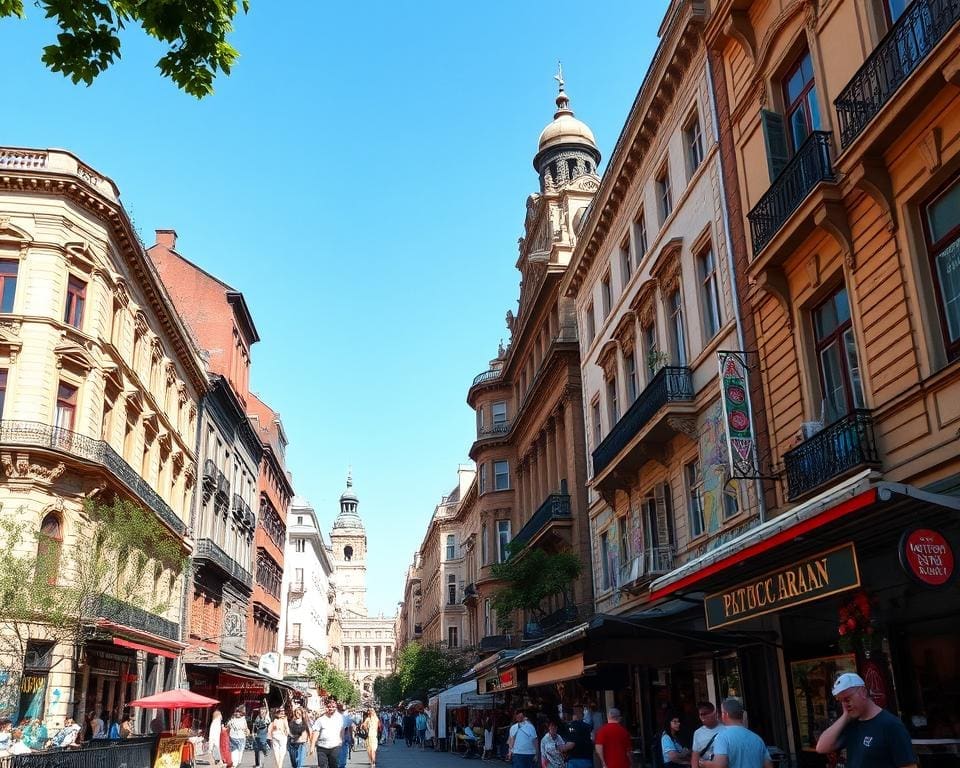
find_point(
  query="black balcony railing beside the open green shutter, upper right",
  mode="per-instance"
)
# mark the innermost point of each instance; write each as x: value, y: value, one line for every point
x: 808, y: 167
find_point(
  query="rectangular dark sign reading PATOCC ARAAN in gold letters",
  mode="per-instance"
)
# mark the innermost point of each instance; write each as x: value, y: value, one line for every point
x: 810, y: 579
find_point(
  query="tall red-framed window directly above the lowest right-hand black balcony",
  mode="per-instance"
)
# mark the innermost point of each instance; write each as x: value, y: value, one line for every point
x: 837, y: 359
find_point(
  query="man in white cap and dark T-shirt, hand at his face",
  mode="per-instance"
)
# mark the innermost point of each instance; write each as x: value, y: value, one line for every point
x: 872, y: 736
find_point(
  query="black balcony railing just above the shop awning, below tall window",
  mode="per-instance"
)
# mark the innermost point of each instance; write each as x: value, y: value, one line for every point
x: 845, y: 445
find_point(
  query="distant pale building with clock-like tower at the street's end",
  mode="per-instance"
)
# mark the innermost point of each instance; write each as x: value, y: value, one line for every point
x: 368, y: 642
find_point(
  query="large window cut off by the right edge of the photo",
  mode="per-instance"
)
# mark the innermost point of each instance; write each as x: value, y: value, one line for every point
x: 941, y: 223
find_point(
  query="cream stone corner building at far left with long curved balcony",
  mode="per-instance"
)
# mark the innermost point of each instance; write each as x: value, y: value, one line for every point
x: 100, y: 384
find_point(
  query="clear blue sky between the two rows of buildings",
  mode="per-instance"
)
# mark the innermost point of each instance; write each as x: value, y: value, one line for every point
x: 361, y: 177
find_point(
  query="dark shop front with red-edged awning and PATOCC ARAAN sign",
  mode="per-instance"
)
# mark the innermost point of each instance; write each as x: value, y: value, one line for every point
x: 859, y: 581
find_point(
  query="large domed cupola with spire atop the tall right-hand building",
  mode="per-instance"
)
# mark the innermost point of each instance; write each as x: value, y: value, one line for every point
x: 567, y: 148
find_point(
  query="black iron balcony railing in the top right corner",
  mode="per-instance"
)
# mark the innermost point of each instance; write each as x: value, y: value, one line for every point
x: 910, y: 40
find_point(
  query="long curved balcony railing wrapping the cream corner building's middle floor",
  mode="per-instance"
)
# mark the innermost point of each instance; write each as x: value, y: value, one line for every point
x: 38, y: 434
